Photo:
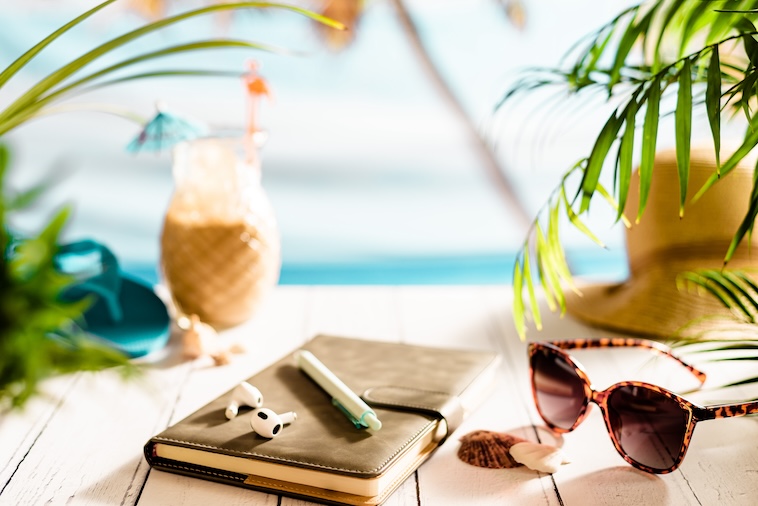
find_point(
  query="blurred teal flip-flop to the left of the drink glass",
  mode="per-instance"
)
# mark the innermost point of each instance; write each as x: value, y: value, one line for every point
x: 126, y: 314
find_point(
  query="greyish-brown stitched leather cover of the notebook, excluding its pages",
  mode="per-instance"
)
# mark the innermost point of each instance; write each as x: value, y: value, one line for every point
x: 322, y: 438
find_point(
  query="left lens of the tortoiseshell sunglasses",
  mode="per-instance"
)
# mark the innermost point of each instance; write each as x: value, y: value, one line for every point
x: 559, y: 391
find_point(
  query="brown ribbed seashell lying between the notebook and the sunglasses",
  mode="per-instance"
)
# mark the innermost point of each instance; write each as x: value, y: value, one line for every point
x: 488, y: 449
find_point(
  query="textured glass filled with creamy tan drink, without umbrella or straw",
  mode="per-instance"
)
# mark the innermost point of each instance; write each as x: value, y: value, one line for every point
x: 220, y: 247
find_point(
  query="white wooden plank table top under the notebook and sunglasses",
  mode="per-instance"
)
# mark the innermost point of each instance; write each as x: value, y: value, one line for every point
x: 83, y: 443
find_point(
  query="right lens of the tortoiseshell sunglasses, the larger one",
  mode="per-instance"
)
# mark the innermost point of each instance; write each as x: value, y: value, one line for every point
x: 649, y: 426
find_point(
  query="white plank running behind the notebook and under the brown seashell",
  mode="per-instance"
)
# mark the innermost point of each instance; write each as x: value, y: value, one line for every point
x: 467, y: 317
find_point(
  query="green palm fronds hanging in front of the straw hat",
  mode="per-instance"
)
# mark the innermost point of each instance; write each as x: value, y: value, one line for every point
x: 628, y: 58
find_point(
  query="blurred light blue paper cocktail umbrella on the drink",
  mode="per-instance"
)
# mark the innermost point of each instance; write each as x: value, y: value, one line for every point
x: 165, y: 130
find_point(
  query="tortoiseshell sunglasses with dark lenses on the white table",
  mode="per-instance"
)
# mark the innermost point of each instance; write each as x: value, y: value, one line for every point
x: 650, y: 426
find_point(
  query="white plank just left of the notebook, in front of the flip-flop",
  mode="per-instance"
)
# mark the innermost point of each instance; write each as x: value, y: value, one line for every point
x: 90, y: 450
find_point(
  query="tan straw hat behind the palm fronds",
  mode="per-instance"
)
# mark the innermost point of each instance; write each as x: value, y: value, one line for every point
x: 662, y: 245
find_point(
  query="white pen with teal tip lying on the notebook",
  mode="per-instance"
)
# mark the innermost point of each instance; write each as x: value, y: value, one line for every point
x: 345, y: 399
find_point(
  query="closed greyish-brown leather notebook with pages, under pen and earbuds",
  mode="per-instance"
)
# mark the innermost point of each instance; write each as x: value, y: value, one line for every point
x: 420, y: 394
